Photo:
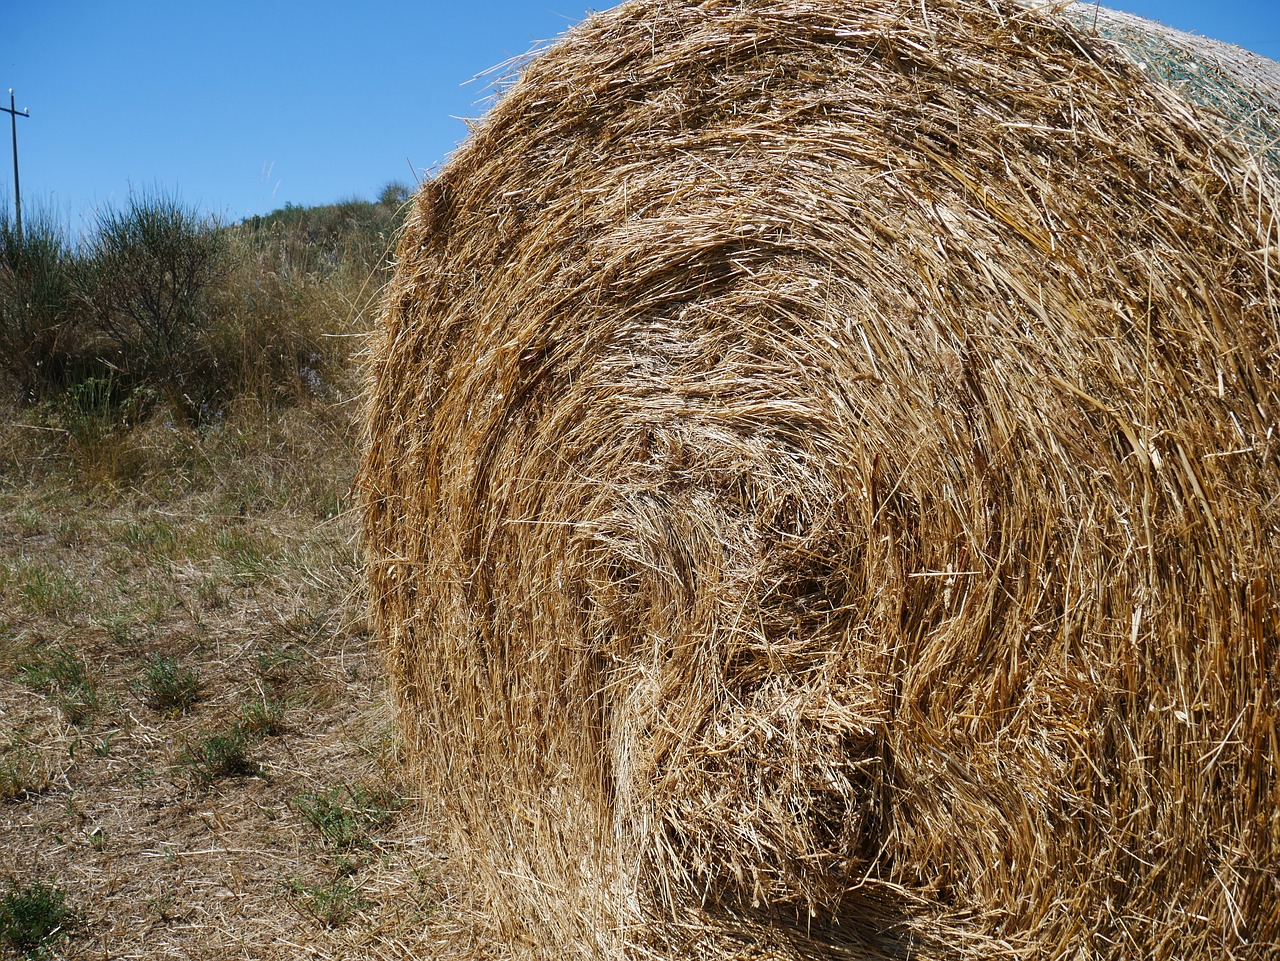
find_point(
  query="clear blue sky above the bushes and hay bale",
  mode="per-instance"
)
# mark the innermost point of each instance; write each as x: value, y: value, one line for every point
x: 239, y: 108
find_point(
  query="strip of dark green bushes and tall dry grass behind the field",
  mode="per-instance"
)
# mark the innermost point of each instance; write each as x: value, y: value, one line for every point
x: 162, y: 314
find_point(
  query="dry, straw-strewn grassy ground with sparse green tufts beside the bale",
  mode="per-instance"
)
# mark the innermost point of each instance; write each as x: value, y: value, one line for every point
x: 198, y: 758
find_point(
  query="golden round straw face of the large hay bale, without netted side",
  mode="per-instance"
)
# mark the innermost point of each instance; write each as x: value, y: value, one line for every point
x: 822, y: 495
